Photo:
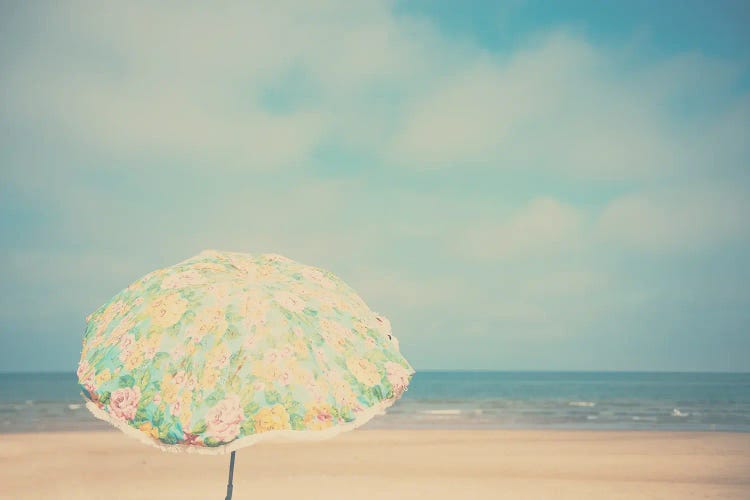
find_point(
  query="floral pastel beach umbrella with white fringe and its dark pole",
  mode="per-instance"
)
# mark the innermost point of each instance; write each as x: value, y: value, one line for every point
x: 226, y: 349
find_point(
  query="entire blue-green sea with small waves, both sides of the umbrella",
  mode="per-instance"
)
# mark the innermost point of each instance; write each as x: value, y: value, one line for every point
x: 463, y: 399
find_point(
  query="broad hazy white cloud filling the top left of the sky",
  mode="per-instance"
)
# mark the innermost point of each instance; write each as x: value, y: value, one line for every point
x: 145, y: 80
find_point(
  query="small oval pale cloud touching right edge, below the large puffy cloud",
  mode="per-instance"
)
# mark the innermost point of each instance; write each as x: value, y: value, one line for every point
x: 677, y: 219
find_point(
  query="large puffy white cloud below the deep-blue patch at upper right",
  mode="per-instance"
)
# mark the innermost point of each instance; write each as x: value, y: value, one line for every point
x: 562, y: 105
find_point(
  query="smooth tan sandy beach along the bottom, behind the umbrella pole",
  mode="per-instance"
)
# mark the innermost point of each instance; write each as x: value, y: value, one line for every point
x: 380, y: 464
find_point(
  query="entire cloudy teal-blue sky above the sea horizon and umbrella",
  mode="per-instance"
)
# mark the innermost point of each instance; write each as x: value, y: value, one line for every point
x: 516, y: 185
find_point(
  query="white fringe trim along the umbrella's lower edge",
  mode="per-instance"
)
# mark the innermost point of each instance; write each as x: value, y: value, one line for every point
x: 275, y: 436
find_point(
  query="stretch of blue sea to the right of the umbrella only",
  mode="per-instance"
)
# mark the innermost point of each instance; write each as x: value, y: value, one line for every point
x: 575, y: 400
